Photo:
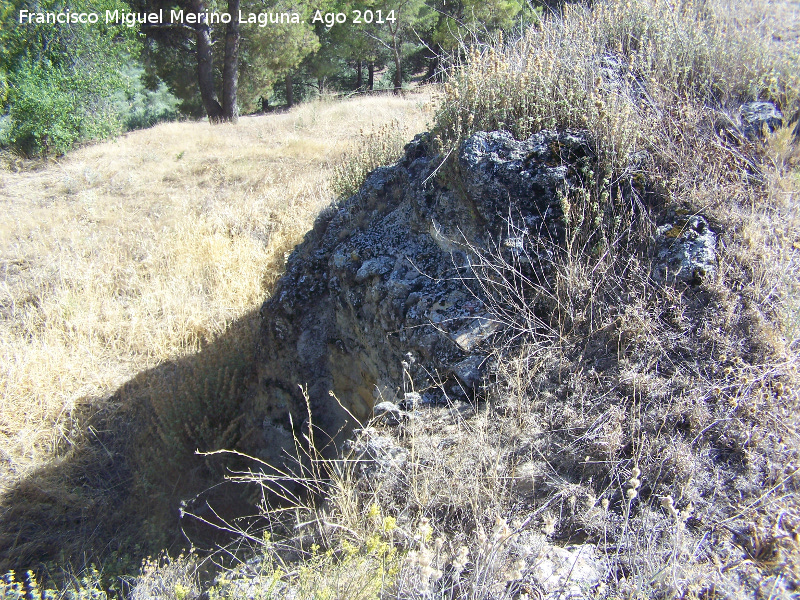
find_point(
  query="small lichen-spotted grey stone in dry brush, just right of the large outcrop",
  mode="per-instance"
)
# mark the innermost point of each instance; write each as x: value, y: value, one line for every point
x: 685, y: 251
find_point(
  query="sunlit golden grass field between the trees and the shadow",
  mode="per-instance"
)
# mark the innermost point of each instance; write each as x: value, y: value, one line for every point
x: 129, y: 253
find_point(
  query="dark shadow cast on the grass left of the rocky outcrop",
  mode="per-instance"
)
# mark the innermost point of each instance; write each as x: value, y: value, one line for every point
x: 114, y: 496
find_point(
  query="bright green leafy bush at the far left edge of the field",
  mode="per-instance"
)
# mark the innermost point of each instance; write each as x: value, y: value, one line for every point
x: 57, y: 79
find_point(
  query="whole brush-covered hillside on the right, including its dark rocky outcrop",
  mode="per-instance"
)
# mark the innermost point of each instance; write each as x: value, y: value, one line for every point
x: 634, y: 431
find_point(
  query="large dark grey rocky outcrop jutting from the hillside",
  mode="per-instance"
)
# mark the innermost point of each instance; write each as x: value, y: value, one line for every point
x: 377, y: 304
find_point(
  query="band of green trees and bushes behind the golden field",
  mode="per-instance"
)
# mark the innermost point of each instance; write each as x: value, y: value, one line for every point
x: 64, y: 83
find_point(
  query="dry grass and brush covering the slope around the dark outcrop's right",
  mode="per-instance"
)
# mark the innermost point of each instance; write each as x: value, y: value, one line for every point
x: 656, y: 422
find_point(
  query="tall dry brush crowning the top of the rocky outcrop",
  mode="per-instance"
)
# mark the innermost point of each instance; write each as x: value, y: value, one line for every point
x: 598, y: 68
